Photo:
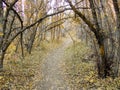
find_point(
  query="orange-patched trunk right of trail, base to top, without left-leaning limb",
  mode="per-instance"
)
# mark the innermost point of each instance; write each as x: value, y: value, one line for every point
x: 103, y: 64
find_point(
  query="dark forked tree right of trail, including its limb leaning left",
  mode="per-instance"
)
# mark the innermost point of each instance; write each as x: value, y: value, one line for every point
x: 105, y: 62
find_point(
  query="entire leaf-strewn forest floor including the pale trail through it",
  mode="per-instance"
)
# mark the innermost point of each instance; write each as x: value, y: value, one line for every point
x: 55, y: 66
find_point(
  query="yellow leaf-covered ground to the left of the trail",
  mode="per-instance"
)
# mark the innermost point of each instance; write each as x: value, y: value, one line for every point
x: 22, y: 74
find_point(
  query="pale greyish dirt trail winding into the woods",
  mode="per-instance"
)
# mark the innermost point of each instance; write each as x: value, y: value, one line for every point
x: 53, y: 76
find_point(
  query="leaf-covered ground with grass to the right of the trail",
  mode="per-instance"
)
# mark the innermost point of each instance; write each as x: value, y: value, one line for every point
x: 81, y: 73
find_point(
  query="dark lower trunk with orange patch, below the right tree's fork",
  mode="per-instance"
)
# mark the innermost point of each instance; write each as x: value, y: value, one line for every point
x: 103, y: 63
